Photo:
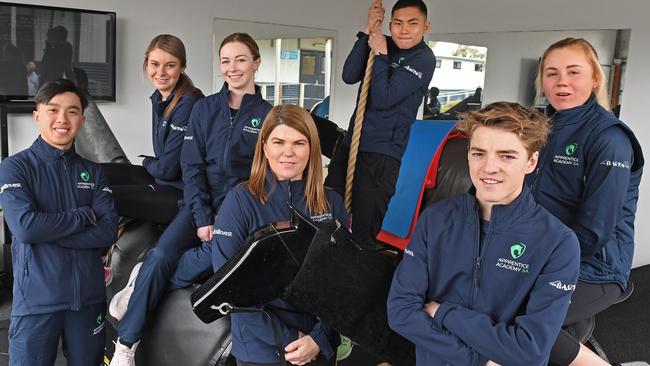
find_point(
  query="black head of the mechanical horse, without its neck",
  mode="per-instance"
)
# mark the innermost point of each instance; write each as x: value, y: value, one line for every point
x: 262, y: 268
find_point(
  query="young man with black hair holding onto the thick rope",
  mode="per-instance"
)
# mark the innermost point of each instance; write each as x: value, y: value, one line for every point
x: 402, y: 70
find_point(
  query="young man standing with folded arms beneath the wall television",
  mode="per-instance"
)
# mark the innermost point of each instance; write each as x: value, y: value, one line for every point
x: 60, y: 211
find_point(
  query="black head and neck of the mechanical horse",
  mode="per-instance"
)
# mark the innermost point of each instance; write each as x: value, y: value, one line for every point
x: 320, y: 270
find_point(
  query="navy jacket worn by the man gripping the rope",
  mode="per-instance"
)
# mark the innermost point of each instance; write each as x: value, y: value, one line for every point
x: 400, y: 81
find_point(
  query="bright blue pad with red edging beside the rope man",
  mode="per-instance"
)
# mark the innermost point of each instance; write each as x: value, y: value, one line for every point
x: 424, y: 140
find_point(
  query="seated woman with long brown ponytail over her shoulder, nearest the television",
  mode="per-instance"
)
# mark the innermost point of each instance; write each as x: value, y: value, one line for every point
x: 151, y: 192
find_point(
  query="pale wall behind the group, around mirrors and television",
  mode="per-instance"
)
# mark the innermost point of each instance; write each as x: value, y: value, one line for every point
x: 139, y: 21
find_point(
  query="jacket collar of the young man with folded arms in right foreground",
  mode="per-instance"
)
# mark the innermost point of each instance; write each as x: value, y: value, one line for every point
x: 503, y: 215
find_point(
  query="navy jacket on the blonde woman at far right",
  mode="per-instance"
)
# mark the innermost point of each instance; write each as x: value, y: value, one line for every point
x: 588, y: 176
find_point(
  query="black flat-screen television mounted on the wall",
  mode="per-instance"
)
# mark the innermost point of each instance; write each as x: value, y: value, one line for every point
x: 41, y: 43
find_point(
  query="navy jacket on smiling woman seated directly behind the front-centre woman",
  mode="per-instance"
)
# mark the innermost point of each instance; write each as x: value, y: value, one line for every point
x: 218, y: 152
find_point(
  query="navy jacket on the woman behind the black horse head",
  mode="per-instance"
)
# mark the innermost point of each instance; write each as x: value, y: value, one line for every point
x: 240, y: 215
